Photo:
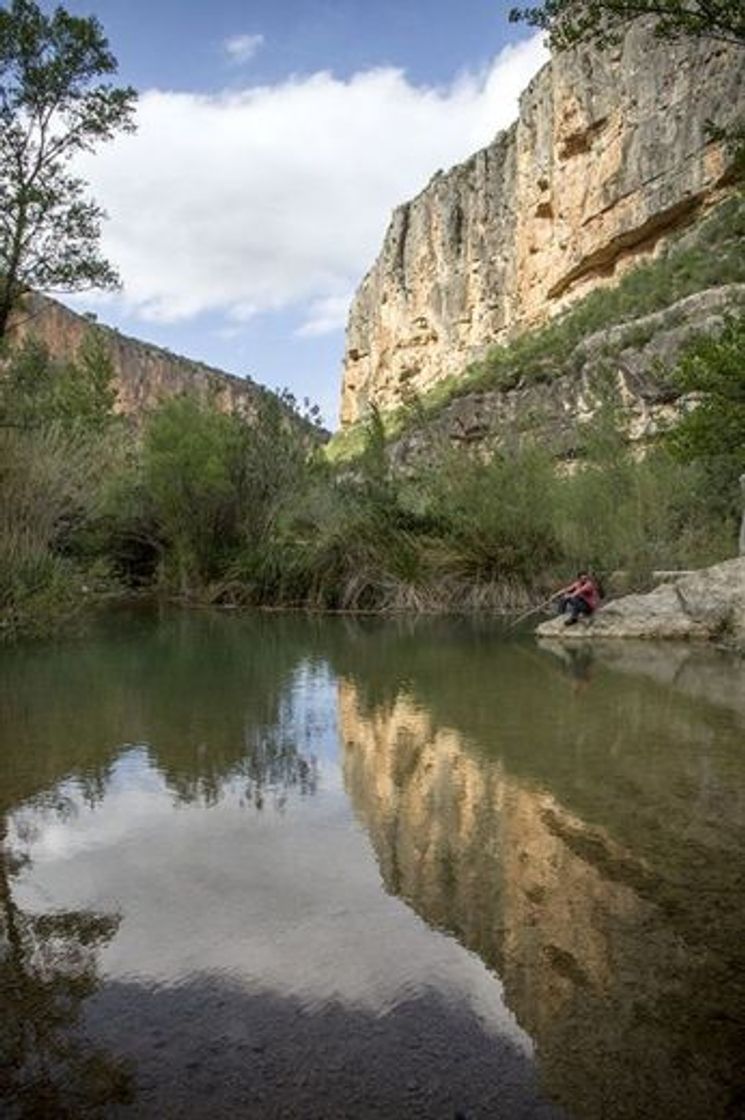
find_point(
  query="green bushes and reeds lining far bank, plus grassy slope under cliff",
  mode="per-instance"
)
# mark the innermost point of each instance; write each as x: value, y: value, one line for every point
x: 203, y: 507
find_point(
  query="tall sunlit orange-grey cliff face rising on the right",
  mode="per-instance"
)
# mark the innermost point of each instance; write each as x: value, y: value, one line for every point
x: 610, y: 156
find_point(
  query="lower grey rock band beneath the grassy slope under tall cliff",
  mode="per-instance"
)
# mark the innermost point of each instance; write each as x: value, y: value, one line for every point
x: 626, y: 362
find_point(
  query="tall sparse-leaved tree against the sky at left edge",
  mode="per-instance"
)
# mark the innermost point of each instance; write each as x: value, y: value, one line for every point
x: 53, y: 107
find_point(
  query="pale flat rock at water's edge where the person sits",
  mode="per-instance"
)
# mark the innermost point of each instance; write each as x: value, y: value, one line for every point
x: 706, y: 605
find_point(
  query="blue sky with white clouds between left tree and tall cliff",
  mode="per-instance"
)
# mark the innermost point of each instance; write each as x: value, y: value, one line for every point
x: 274, y: 142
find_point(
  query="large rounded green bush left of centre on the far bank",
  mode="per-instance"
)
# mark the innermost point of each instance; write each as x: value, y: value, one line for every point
x: 212, y: 488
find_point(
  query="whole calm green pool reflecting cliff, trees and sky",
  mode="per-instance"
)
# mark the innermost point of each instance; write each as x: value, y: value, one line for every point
x: 275, y: 867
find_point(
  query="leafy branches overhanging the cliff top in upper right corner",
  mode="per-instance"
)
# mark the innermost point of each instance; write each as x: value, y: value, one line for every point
x: 572, y: 22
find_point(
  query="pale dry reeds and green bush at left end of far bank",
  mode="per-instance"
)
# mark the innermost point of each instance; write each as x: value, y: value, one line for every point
x: 59, y: 444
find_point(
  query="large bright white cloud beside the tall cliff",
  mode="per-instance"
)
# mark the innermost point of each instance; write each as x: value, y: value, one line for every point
x: 278, y: 197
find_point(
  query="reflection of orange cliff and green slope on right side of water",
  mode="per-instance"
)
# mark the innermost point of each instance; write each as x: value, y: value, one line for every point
x: 582, y: 827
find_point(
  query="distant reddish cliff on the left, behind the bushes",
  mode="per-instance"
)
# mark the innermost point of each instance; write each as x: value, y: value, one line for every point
x: 145, y: 375
